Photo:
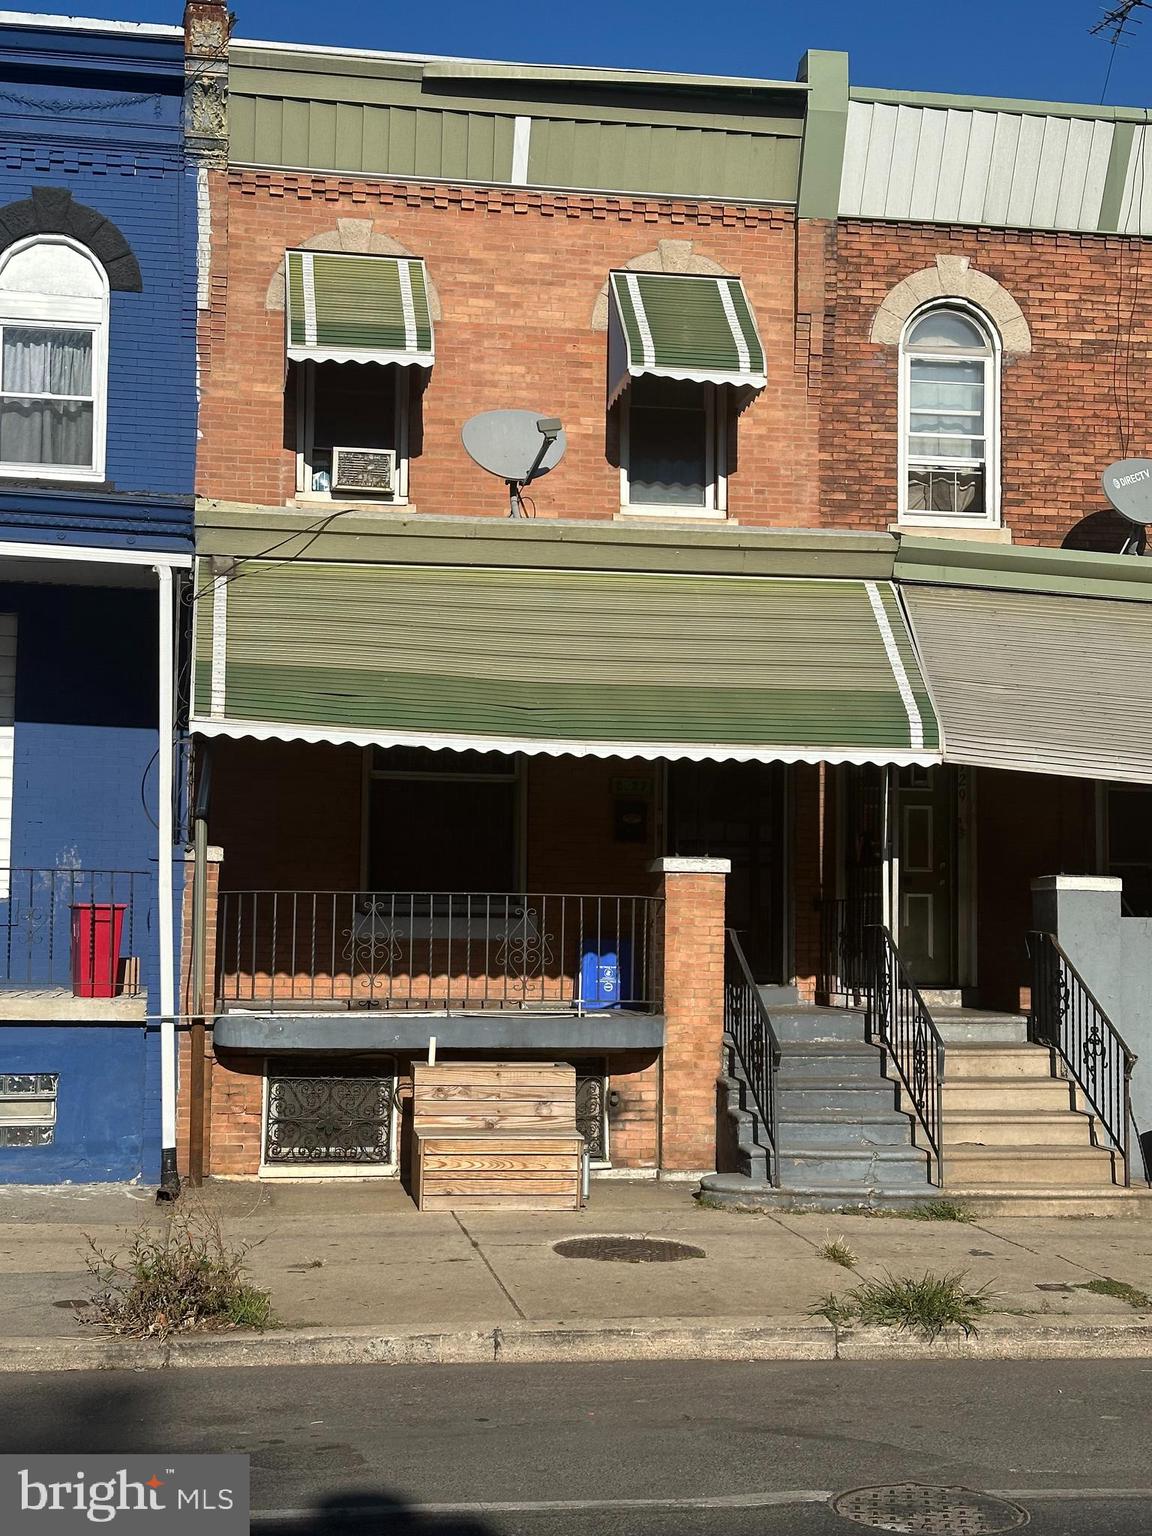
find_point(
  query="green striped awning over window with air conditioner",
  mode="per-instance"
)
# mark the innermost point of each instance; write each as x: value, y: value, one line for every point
x: 357, y: 310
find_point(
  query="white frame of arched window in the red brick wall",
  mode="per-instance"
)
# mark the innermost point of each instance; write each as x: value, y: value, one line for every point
x: 990, y: 518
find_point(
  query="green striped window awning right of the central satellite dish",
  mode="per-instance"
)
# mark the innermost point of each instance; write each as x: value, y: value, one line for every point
x: 683, y: 328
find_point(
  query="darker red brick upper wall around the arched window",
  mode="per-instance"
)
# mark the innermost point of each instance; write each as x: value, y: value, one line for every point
x: 1071, y: 406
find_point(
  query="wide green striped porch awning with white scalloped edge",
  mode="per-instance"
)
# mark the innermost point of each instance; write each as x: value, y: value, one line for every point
x: 561, y: 663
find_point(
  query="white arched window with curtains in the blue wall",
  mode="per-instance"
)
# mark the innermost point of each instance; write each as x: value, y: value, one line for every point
x: 53, y: 360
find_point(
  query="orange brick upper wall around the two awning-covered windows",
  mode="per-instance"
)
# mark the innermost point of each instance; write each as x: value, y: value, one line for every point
x: 518, y: 276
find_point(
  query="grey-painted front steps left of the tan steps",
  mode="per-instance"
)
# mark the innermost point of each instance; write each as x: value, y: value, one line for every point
x: 841, y: 1139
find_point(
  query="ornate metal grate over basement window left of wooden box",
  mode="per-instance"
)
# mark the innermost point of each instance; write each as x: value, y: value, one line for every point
x: 329, y: 1121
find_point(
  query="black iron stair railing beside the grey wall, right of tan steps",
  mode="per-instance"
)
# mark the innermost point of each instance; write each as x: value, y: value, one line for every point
x: 1067, y: 1018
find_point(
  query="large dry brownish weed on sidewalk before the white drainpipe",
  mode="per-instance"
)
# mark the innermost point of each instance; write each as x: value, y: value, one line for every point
x: 176, y: 1279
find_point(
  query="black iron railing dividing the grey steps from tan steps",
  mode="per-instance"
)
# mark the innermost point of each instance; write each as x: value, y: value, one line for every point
x: 899, y: 1021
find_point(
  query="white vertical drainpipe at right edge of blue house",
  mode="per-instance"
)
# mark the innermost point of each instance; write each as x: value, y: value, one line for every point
x: 170, y: 1179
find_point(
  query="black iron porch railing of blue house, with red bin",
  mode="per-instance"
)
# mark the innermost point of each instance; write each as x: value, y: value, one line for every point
x: 73, y: 930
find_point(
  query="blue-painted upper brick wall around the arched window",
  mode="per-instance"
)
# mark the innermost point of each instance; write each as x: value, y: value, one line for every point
x: 102, y: 118
